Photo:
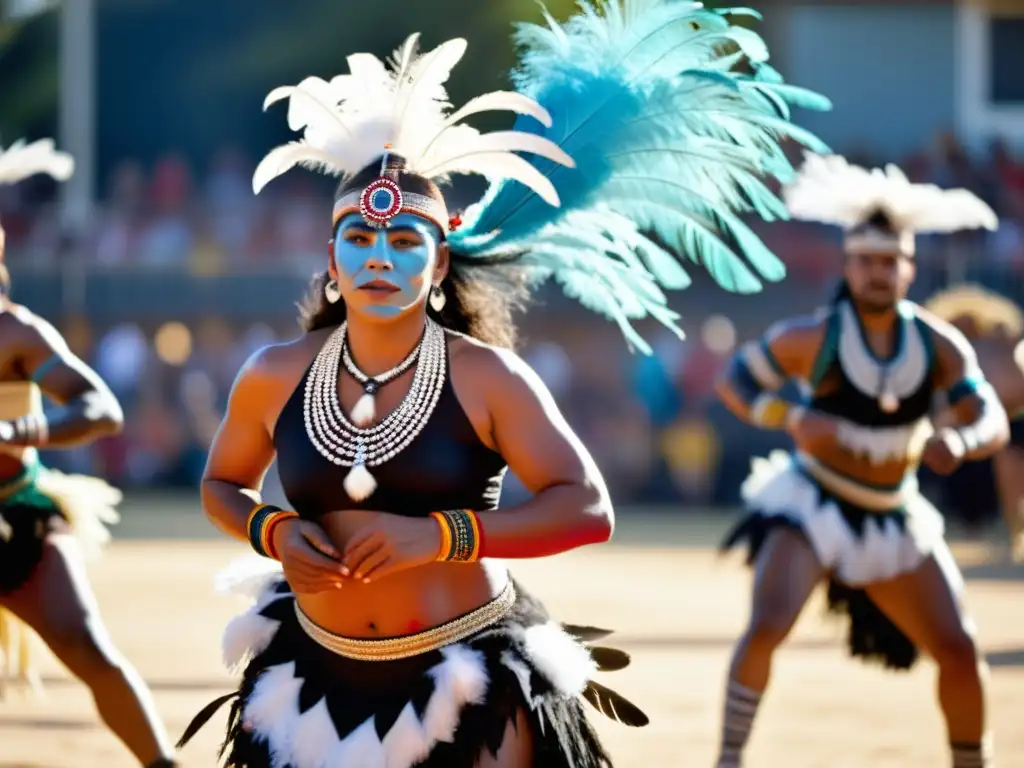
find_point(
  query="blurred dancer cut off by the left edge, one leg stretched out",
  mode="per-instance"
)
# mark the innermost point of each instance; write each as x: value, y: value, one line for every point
x: 49, y: 521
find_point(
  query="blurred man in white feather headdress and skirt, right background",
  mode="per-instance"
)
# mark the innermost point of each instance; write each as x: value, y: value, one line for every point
x: 845, y: 504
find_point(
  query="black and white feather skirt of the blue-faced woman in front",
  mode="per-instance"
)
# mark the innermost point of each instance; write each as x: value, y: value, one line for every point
x: 301, y: 706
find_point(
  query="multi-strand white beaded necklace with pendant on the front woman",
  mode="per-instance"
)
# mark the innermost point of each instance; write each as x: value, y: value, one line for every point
x: 347, y: 445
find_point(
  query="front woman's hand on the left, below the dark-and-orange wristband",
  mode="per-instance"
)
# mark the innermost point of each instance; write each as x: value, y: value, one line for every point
x: 310, y: 561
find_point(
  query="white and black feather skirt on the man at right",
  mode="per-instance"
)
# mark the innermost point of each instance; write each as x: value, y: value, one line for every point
x: 858, y: 546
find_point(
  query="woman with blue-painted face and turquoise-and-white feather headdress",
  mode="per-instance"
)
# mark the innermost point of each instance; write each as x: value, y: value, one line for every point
x: 389, y: 639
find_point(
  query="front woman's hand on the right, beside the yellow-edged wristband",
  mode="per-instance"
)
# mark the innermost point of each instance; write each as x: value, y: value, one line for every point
x: 390, y: 544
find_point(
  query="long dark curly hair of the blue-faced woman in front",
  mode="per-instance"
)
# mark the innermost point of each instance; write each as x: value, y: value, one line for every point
x: 481, y: 294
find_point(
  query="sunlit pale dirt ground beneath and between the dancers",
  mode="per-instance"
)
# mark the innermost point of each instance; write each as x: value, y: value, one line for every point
x: 678, y: 611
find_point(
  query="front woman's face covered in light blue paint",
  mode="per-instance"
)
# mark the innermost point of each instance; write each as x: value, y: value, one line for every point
x: 404, y: 257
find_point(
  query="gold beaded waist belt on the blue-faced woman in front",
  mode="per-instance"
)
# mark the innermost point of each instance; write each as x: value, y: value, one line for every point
x: 411, y: 646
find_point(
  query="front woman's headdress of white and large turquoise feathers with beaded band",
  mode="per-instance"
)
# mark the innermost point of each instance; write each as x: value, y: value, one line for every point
x: 637, y: 147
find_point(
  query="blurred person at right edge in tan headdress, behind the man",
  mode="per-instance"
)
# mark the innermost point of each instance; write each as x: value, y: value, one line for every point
x: 995, y: 326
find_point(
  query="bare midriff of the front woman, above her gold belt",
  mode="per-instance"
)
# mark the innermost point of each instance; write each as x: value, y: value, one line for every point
x: 404, y: 604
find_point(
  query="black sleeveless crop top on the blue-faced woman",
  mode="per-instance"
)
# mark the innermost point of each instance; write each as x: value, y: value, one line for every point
x: 445, y: 467
